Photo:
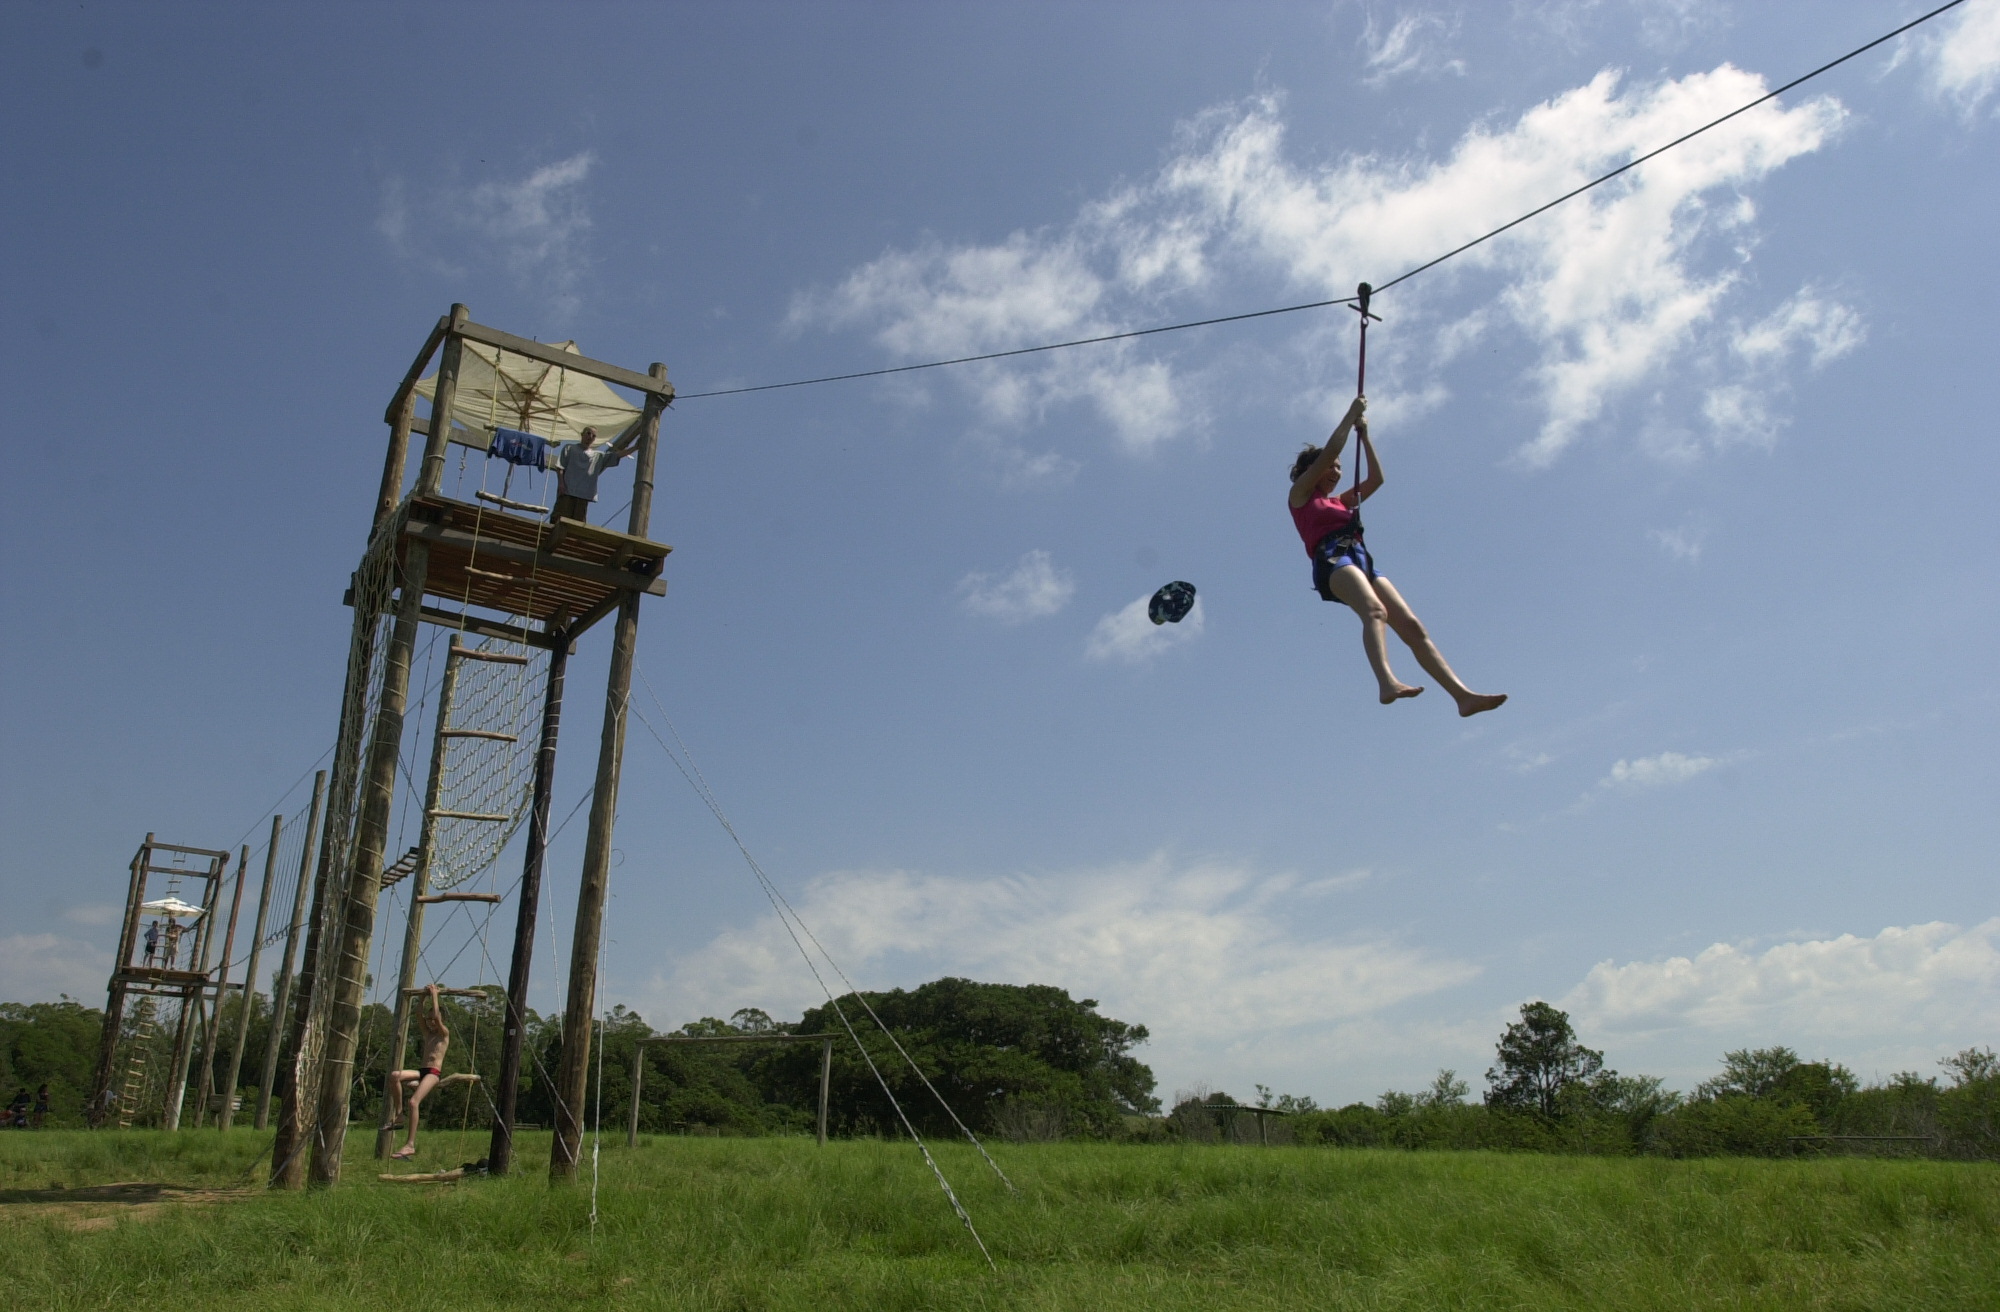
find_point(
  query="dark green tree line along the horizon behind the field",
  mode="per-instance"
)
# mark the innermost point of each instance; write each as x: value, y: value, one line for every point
x: 1033, y: 1063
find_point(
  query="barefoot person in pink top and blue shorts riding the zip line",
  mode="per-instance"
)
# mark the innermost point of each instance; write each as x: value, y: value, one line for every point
x: 1343, y: 571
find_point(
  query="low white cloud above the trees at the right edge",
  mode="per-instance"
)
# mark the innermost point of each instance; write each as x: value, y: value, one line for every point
x: 1927, y: 987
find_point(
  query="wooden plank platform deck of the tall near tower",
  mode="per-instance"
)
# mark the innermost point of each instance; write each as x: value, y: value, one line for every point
x: 489, y: 559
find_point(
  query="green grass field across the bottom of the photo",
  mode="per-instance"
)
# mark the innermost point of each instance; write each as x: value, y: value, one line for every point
x: 777, y: 1223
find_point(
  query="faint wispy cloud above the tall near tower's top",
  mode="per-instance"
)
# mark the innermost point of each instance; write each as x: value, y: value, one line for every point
x: 535, y: 227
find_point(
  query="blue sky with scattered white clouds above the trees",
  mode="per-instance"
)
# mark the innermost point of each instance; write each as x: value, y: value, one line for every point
x: 1697, y: 471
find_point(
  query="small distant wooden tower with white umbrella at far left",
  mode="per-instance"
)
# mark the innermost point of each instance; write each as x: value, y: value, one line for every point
x: 143, y: 1059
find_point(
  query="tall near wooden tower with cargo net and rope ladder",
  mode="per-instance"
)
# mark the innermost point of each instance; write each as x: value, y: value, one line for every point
x: 493, y: 569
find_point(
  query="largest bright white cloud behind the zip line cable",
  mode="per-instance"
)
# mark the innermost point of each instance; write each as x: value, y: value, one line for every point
x: 1609, y: 291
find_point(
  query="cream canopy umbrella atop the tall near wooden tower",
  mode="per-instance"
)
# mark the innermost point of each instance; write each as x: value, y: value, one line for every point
x: 499, y: 389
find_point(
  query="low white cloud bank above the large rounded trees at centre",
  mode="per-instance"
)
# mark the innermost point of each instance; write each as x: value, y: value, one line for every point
x: 1205, y: 955
